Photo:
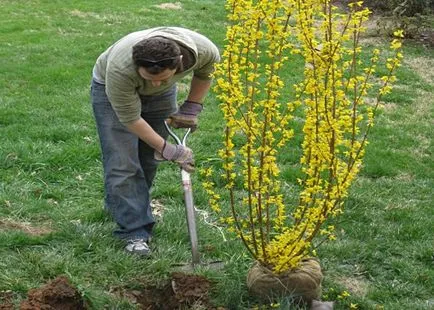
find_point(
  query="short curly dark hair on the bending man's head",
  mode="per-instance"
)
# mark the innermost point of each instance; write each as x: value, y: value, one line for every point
x: 157, y: 54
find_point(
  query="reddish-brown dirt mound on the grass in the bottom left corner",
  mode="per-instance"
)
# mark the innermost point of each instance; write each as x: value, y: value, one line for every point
x: 56, y: 294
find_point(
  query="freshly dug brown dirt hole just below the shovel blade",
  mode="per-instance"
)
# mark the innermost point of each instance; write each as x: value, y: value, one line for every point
x: 182, y: 291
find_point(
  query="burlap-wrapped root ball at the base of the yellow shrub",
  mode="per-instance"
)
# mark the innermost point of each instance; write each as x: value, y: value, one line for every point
x: 302, y: 283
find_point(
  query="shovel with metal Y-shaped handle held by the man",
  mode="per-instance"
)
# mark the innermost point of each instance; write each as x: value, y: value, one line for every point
x: 189, y: 209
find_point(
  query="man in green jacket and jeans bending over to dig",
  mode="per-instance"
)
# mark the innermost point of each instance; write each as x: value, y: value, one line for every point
x: 133, y: 92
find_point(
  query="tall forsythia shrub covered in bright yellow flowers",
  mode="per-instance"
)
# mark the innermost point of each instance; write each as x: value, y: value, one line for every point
x: 258, y: 108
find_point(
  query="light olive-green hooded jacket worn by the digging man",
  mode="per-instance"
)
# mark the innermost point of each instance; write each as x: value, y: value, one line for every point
x: 115, y: 68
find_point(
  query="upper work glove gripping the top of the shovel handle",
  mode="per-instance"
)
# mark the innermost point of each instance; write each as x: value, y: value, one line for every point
x: 186, y: 116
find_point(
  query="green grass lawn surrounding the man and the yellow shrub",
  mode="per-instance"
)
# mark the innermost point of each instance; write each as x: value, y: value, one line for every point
x: 50, y: 171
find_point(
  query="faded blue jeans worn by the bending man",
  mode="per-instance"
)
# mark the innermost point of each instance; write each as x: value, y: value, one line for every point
x: 129, y: 164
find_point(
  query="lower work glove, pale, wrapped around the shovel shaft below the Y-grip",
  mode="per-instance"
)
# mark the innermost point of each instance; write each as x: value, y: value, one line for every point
x: 179, y: 154
